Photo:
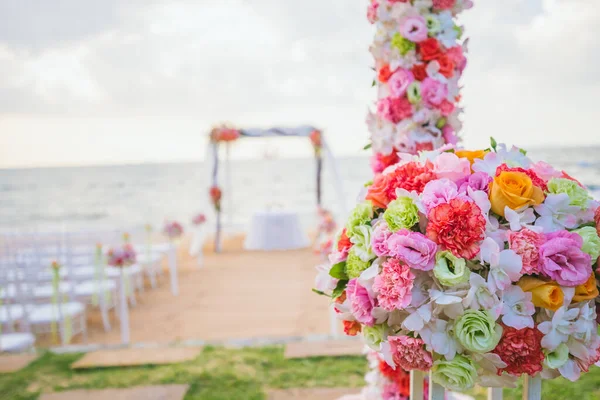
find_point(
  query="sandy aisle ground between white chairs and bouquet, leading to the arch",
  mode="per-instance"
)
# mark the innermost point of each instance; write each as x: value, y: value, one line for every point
x: 236, y: 295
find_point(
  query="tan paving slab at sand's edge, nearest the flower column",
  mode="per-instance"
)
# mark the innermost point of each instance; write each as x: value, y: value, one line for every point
x: 329, y: 348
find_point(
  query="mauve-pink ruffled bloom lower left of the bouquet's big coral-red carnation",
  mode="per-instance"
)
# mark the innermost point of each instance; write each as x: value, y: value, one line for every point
x: 414, y: 248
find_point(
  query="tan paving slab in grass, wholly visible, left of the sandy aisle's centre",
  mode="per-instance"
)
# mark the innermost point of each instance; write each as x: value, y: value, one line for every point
x: 136, y: 357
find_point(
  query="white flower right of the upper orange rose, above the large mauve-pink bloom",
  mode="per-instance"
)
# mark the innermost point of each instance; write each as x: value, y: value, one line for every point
x: 556, y: 213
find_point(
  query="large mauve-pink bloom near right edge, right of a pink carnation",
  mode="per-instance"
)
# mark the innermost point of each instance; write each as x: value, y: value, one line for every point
x: 562, y: 260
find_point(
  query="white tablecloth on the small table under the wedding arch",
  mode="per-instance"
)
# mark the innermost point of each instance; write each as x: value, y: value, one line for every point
x: 275, y: 230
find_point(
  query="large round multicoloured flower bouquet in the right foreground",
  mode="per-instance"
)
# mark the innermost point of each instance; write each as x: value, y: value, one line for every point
x: 477, y: 265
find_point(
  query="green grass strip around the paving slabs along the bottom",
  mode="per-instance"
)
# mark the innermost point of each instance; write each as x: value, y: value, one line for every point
x: 225, y: 374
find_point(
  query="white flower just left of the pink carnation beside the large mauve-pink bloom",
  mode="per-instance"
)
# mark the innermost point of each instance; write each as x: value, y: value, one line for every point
x: 505, y: 265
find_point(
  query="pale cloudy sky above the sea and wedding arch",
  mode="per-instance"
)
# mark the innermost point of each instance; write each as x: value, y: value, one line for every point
x: 96, y: 82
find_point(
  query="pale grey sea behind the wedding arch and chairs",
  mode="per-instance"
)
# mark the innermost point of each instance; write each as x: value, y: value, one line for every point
x: 127, y: 196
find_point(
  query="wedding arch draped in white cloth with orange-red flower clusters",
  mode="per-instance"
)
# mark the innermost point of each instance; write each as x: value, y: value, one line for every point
x: 225, y: 135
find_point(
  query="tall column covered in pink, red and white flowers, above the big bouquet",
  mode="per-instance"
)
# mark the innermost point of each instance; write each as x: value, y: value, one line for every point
x: 419, y: 55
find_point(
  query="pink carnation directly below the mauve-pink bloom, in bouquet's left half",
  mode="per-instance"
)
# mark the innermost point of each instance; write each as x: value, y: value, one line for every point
x: 394, y: 285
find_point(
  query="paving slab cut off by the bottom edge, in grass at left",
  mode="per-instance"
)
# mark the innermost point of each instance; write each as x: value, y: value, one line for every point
x: 166, y: 392
